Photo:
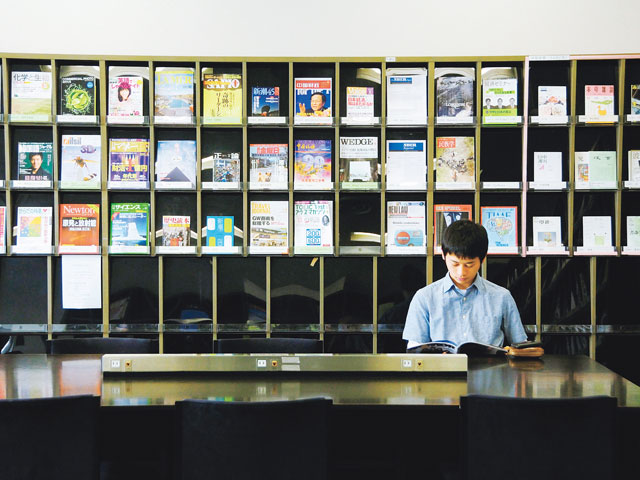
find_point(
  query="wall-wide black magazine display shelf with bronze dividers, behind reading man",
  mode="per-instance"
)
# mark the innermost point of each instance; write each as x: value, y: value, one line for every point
x: 352, y: 294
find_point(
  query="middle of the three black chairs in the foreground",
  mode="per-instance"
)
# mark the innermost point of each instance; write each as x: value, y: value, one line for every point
x: 281, y: 440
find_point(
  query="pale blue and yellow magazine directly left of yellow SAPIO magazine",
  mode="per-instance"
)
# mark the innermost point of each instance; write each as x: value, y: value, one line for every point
x: 174, y: 92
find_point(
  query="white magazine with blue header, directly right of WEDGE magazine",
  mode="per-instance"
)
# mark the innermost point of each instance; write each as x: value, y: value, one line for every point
x: 406, y: 166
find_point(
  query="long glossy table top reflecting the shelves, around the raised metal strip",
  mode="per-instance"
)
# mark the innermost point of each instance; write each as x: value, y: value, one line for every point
x: 553, y: 376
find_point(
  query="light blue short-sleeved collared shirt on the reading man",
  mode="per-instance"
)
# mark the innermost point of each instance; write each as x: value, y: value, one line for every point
x: 483, y: 313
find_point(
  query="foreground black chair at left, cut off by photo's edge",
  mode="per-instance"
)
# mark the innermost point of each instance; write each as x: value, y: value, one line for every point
x: 49, y: 438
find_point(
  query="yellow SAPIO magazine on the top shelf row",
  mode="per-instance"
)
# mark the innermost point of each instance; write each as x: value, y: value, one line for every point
x: 221, y: 95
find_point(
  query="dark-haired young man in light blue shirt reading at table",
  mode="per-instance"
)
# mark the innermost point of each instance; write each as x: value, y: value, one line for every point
x: 462, y: 306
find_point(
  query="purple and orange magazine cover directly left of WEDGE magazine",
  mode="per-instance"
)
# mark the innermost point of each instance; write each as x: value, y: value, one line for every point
x: 312, y: 163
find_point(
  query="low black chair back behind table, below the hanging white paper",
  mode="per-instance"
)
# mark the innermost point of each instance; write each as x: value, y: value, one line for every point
x: 101, y: 345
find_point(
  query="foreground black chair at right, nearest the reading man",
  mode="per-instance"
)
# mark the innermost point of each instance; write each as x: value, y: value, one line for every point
x: 571, y: 438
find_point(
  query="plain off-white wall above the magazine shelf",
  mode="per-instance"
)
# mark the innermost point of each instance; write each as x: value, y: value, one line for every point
x: 321, y: 28
